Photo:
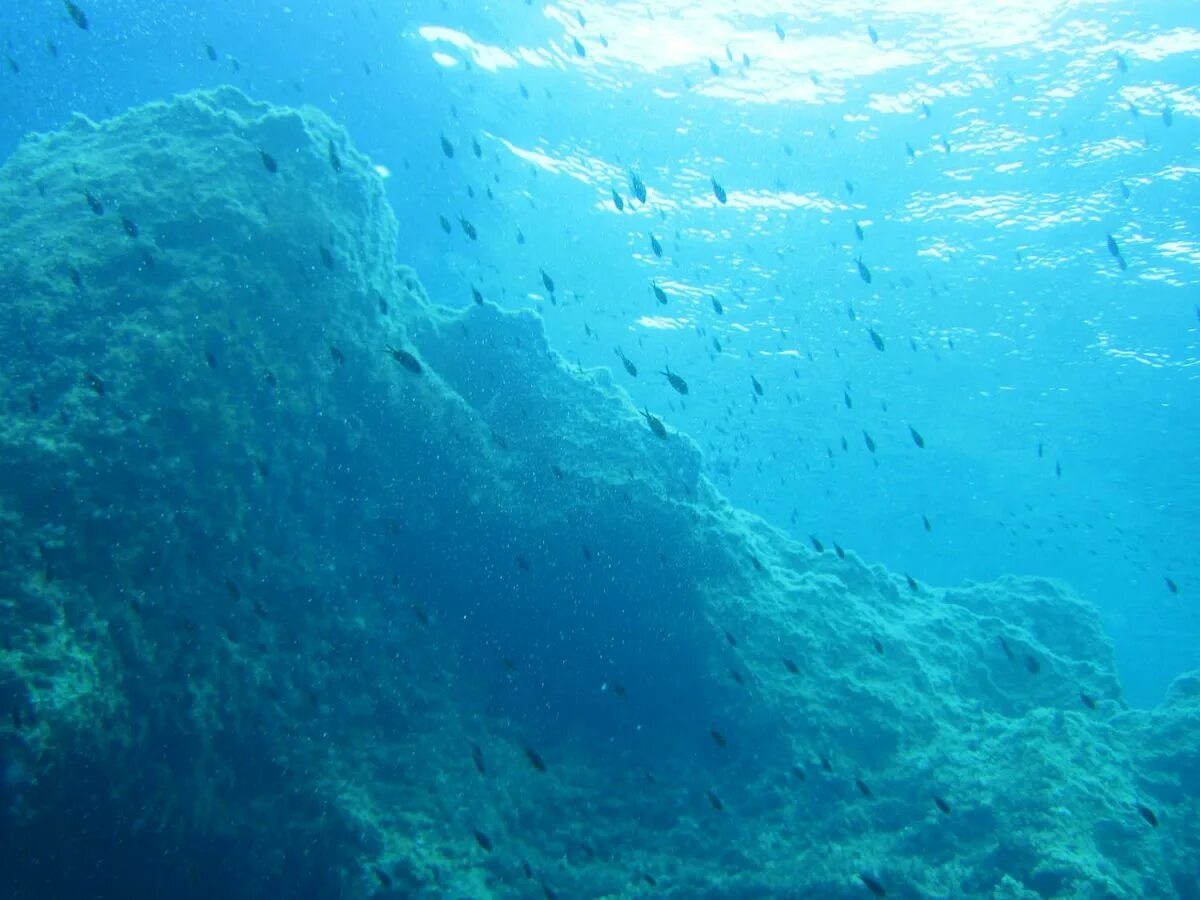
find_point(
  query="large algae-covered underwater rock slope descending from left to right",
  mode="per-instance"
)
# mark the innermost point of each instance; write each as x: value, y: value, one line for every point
x: 280, y: 614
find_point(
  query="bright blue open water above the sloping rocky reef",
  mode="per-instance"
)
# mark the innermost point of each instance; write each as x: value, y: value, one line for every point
x: 991, y: 153
